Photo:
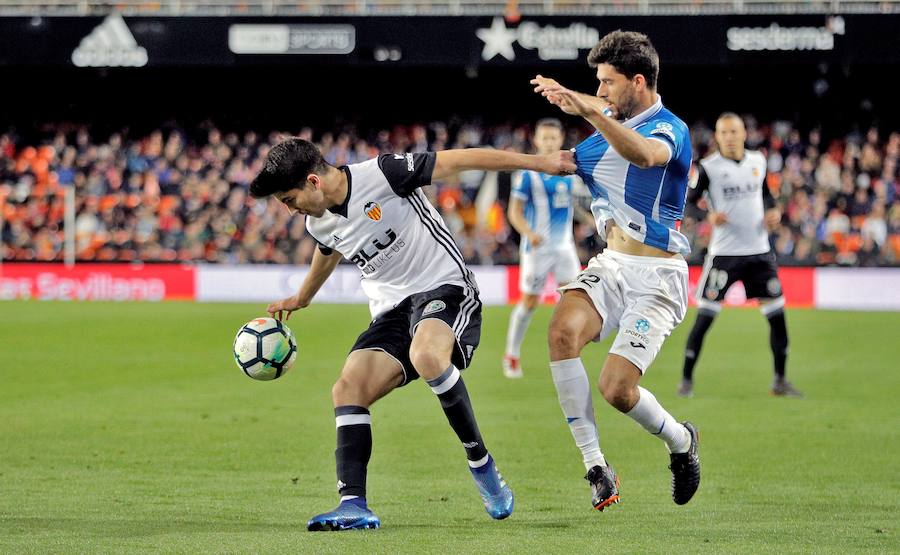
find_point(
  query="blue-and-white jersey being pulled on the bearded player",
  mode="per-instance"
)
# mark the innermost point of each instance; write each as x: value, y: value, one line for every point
x: 646, y: 203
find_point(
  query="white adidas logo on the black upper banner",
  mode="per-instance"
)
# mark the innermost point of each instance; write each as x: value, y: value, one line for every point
x: 110, y: 44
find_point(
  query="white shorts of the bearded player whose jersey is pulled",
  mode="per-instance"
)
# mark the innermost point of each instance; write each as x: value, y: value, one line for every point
x: 643, y: 297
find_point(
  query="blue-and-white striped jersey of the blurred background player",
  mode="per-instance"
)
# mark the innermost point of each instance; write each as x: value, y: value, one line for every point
x: 548, y: 208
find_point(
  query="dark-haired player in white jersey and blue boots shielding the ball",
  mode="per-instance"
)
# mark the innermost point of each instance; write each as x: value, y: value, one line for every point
x: 426, y: 315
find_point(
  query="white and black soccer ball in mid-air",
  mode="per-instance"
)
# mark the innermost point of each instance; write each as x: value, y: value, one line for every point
x: 264, y: 348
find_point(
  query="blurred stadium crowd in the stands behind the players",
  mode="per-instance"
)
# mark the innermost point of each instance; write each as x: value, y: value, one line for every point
x: 174, y: 196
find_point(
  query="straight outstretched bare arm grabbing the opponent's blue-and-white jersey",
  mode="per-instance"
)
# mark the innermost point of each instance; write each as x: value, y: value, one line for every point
x: 450, y: 162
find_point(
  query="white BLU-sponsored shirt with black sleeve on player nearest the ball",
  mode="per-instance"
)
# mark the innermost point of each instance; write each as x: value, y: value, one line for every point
x: 387, y: 227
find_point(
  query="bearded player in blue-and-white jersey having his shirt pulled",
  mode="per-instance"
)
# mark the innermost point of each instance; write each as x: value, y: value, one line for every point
x: 636, y: 166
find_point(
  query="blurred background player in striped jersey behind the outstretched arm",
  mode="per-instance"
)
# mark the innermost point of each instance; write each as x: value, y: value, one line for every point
x: 540, y: 209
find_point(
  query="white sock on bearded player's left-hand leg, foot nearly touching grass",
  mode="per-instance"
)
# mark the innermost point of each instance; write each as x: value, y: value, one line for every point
x: 574, y: 392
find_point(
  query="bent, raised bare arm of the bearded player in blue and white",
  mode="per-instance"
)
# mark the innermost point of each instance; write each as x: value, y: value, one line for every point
x: 638, y: 150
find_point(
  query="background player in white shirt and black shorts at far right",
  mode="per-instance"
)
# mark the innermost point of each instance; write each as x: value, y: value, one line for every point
x: 741, y: 207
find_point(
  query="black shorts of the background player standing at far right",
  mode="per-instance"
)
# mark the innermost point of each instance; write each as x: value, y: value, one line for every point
x: 758, y: 272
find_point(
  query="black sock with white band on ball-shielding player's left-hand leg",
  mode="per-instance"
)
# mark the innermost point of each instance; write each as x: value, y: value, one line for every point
x: 354, y: 448
